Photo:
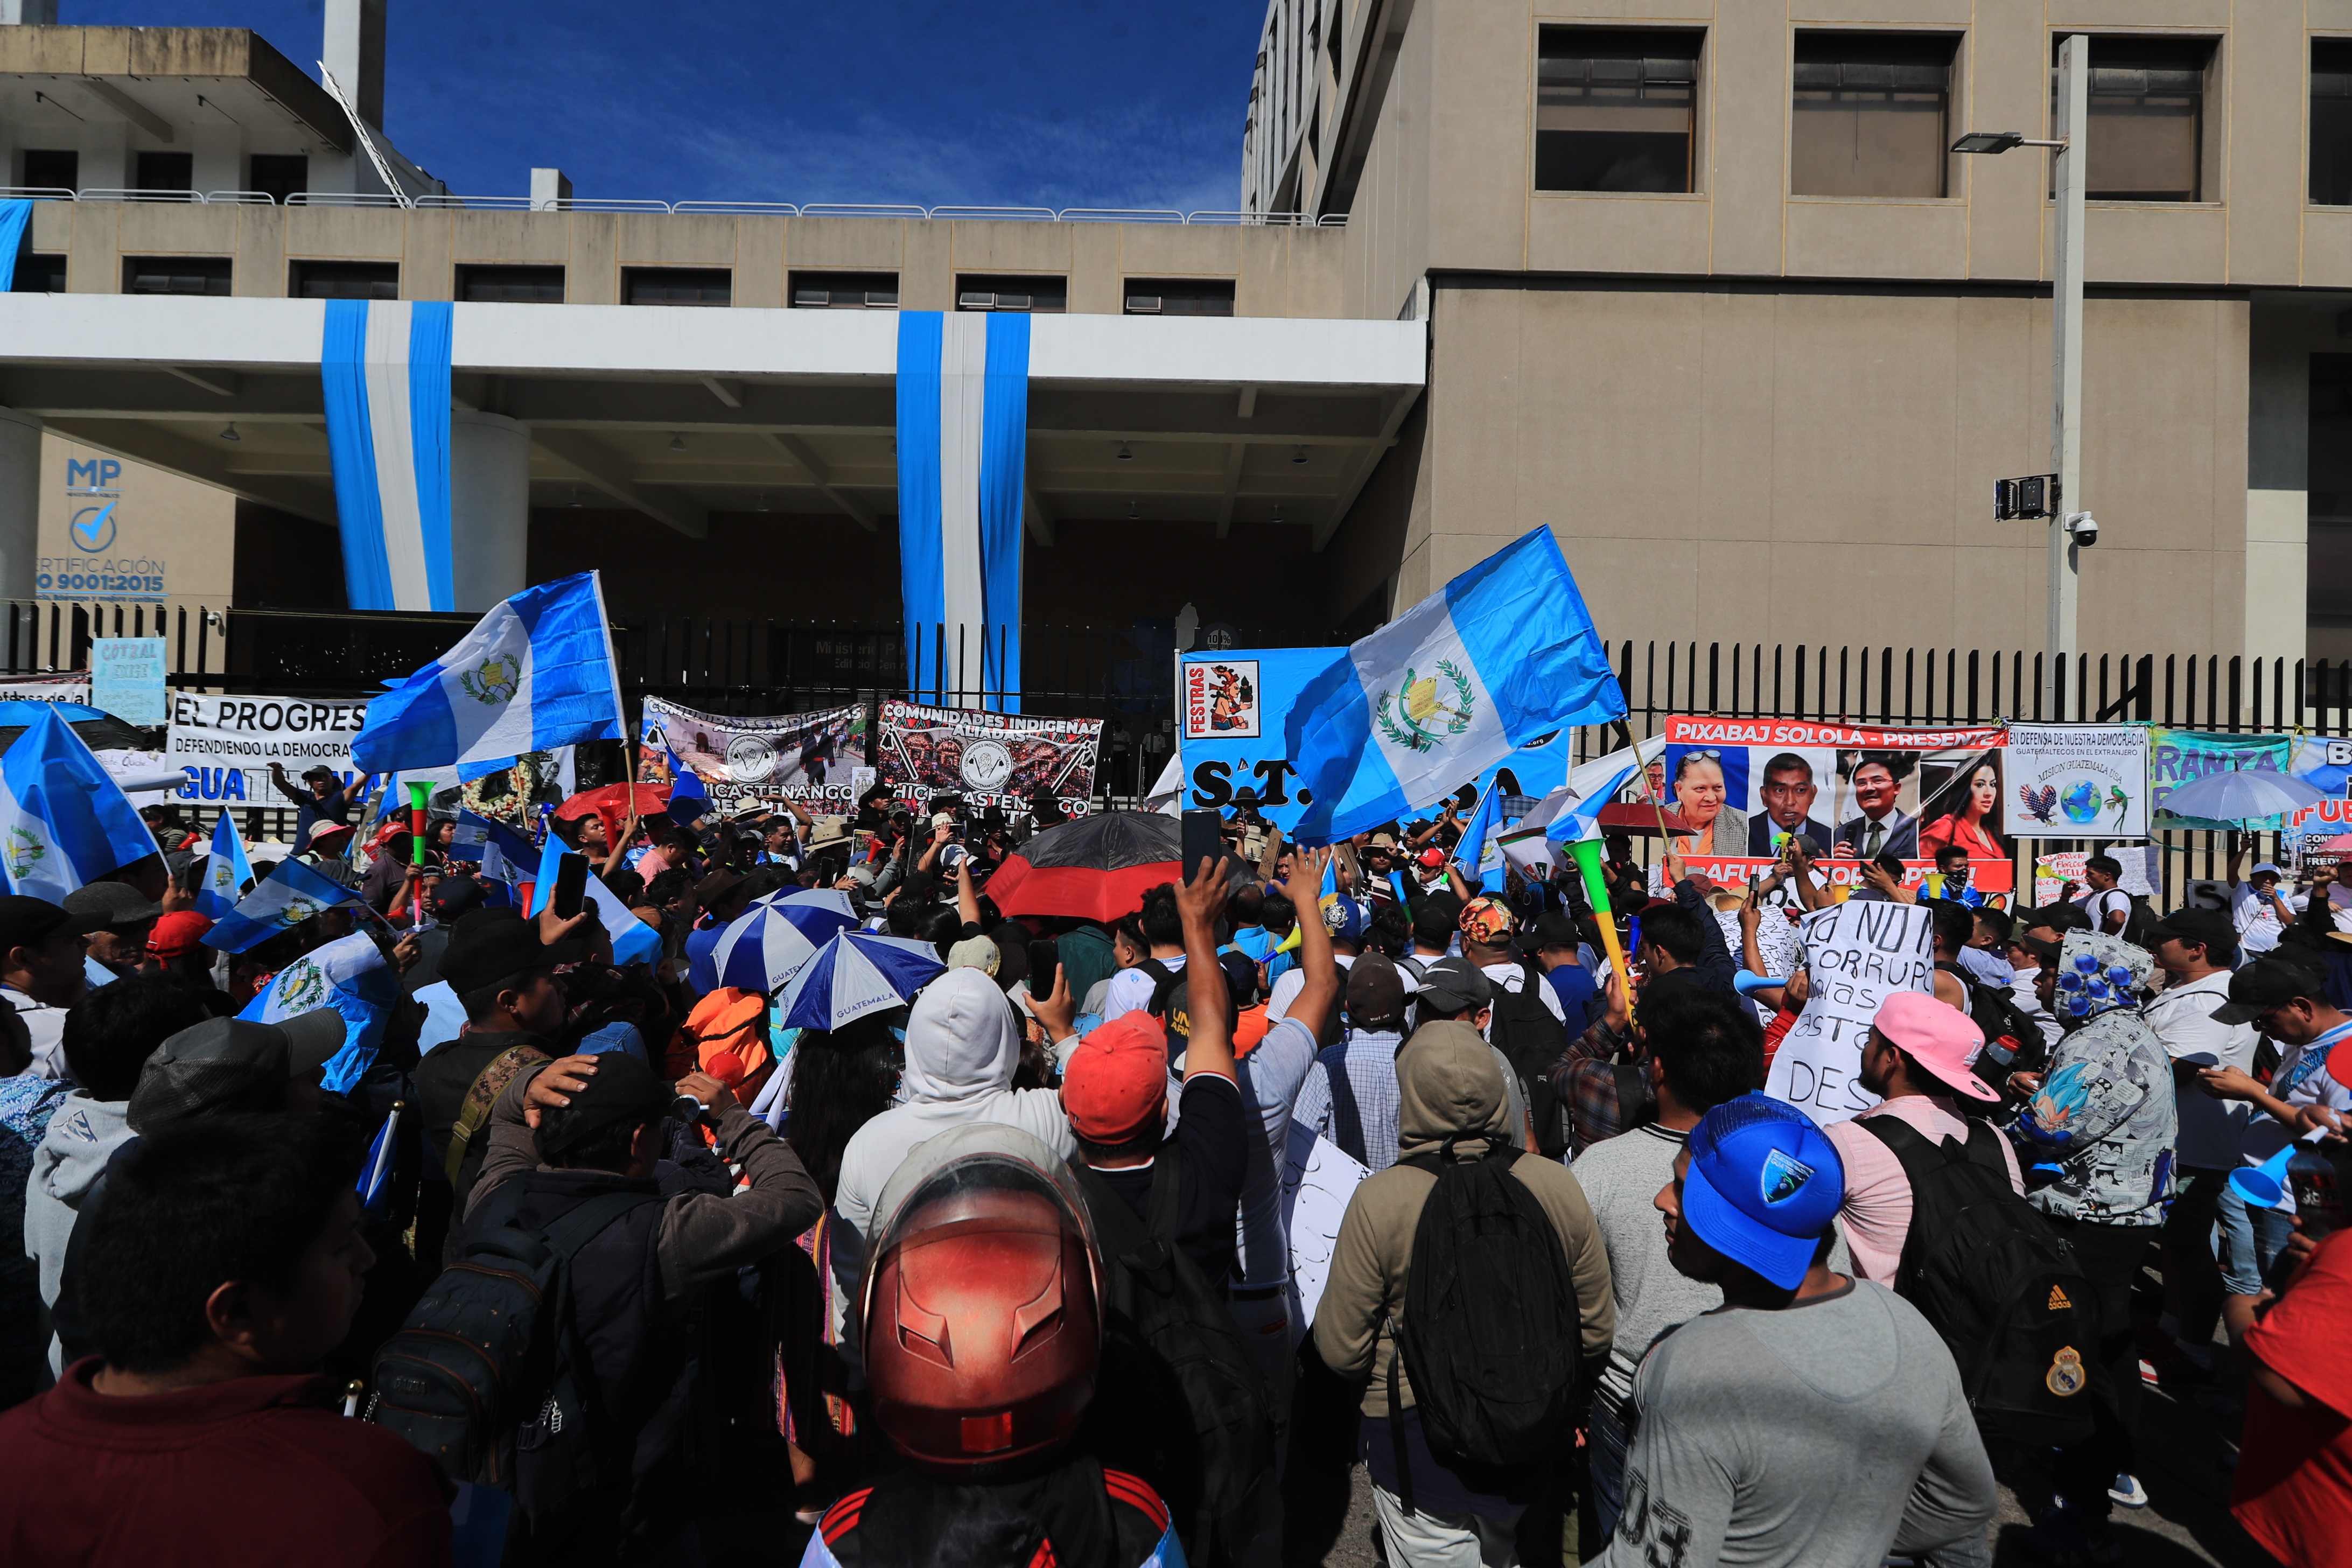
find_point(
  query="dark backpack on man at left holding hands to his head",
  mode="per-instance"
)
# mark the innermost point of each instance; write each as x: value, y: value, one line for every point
x: 486, y: 1376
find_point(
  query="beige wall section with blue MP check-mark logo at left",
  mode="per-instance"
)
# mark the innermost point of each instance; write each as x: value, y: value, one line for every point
x: 161, y: 528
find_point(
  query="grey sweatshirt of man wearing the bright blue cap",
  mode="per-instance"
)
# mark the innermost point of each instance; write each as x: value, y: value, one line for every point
x: 1824, y: 1435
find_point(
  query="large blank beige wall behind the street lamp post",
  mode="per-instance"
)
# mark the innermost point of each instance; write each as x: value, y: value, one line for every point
x: 1817, y: 467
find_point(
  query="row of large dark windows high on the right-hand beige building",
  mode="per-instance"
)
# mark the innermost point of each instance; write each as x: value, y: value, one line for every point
x: 1617, y: 109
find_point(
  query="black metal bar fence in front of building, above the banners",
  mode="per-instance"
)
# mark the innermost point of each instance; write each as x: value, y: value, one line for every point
x: 1125, y: 678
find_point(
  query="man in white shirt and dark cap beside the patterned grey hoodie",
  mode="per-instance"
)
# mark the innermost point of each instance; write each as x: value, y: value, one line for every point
x: 2198, y: 951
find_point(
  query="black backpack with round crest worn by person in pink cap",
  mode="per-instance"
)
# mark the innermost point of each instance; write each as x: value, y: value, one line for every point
x: 1998, y: 1282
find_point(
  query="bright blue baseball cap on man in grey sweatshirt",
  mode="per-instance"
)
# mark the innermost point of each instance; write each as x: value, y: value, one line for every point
x: 1763, y: 1188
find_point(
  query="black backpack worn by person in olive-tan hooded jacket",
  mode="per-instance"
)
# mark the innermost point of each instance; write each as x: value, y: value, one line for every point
x: 1492, y: 1329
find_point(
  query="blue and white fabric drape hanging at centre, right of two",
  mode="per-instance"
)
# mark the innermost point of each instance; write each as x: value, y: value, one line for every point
x: 963, y: 448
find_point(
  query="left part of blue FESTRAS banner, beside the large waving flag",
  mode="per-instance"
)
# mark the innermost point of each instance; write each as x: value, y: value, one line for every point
x: 1234, y: 709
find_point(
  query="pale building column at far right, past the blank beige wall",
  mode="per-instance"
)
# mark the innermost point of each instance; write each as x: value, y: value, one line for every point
x: 2278, y: 483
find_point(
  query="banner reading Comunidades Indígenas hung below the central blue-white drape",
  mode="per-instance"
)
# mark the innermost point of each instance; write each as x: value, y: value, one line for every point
x: 989, y: 758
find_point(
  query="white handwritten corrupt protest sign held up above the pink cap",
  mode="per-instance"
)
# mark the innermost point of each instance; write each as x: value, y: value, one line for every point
x: 1857, y: 958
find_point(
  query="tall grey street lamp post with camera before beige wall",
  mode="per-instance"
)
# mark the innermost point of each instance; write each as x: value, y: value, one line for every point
x: 2071, y: 530
